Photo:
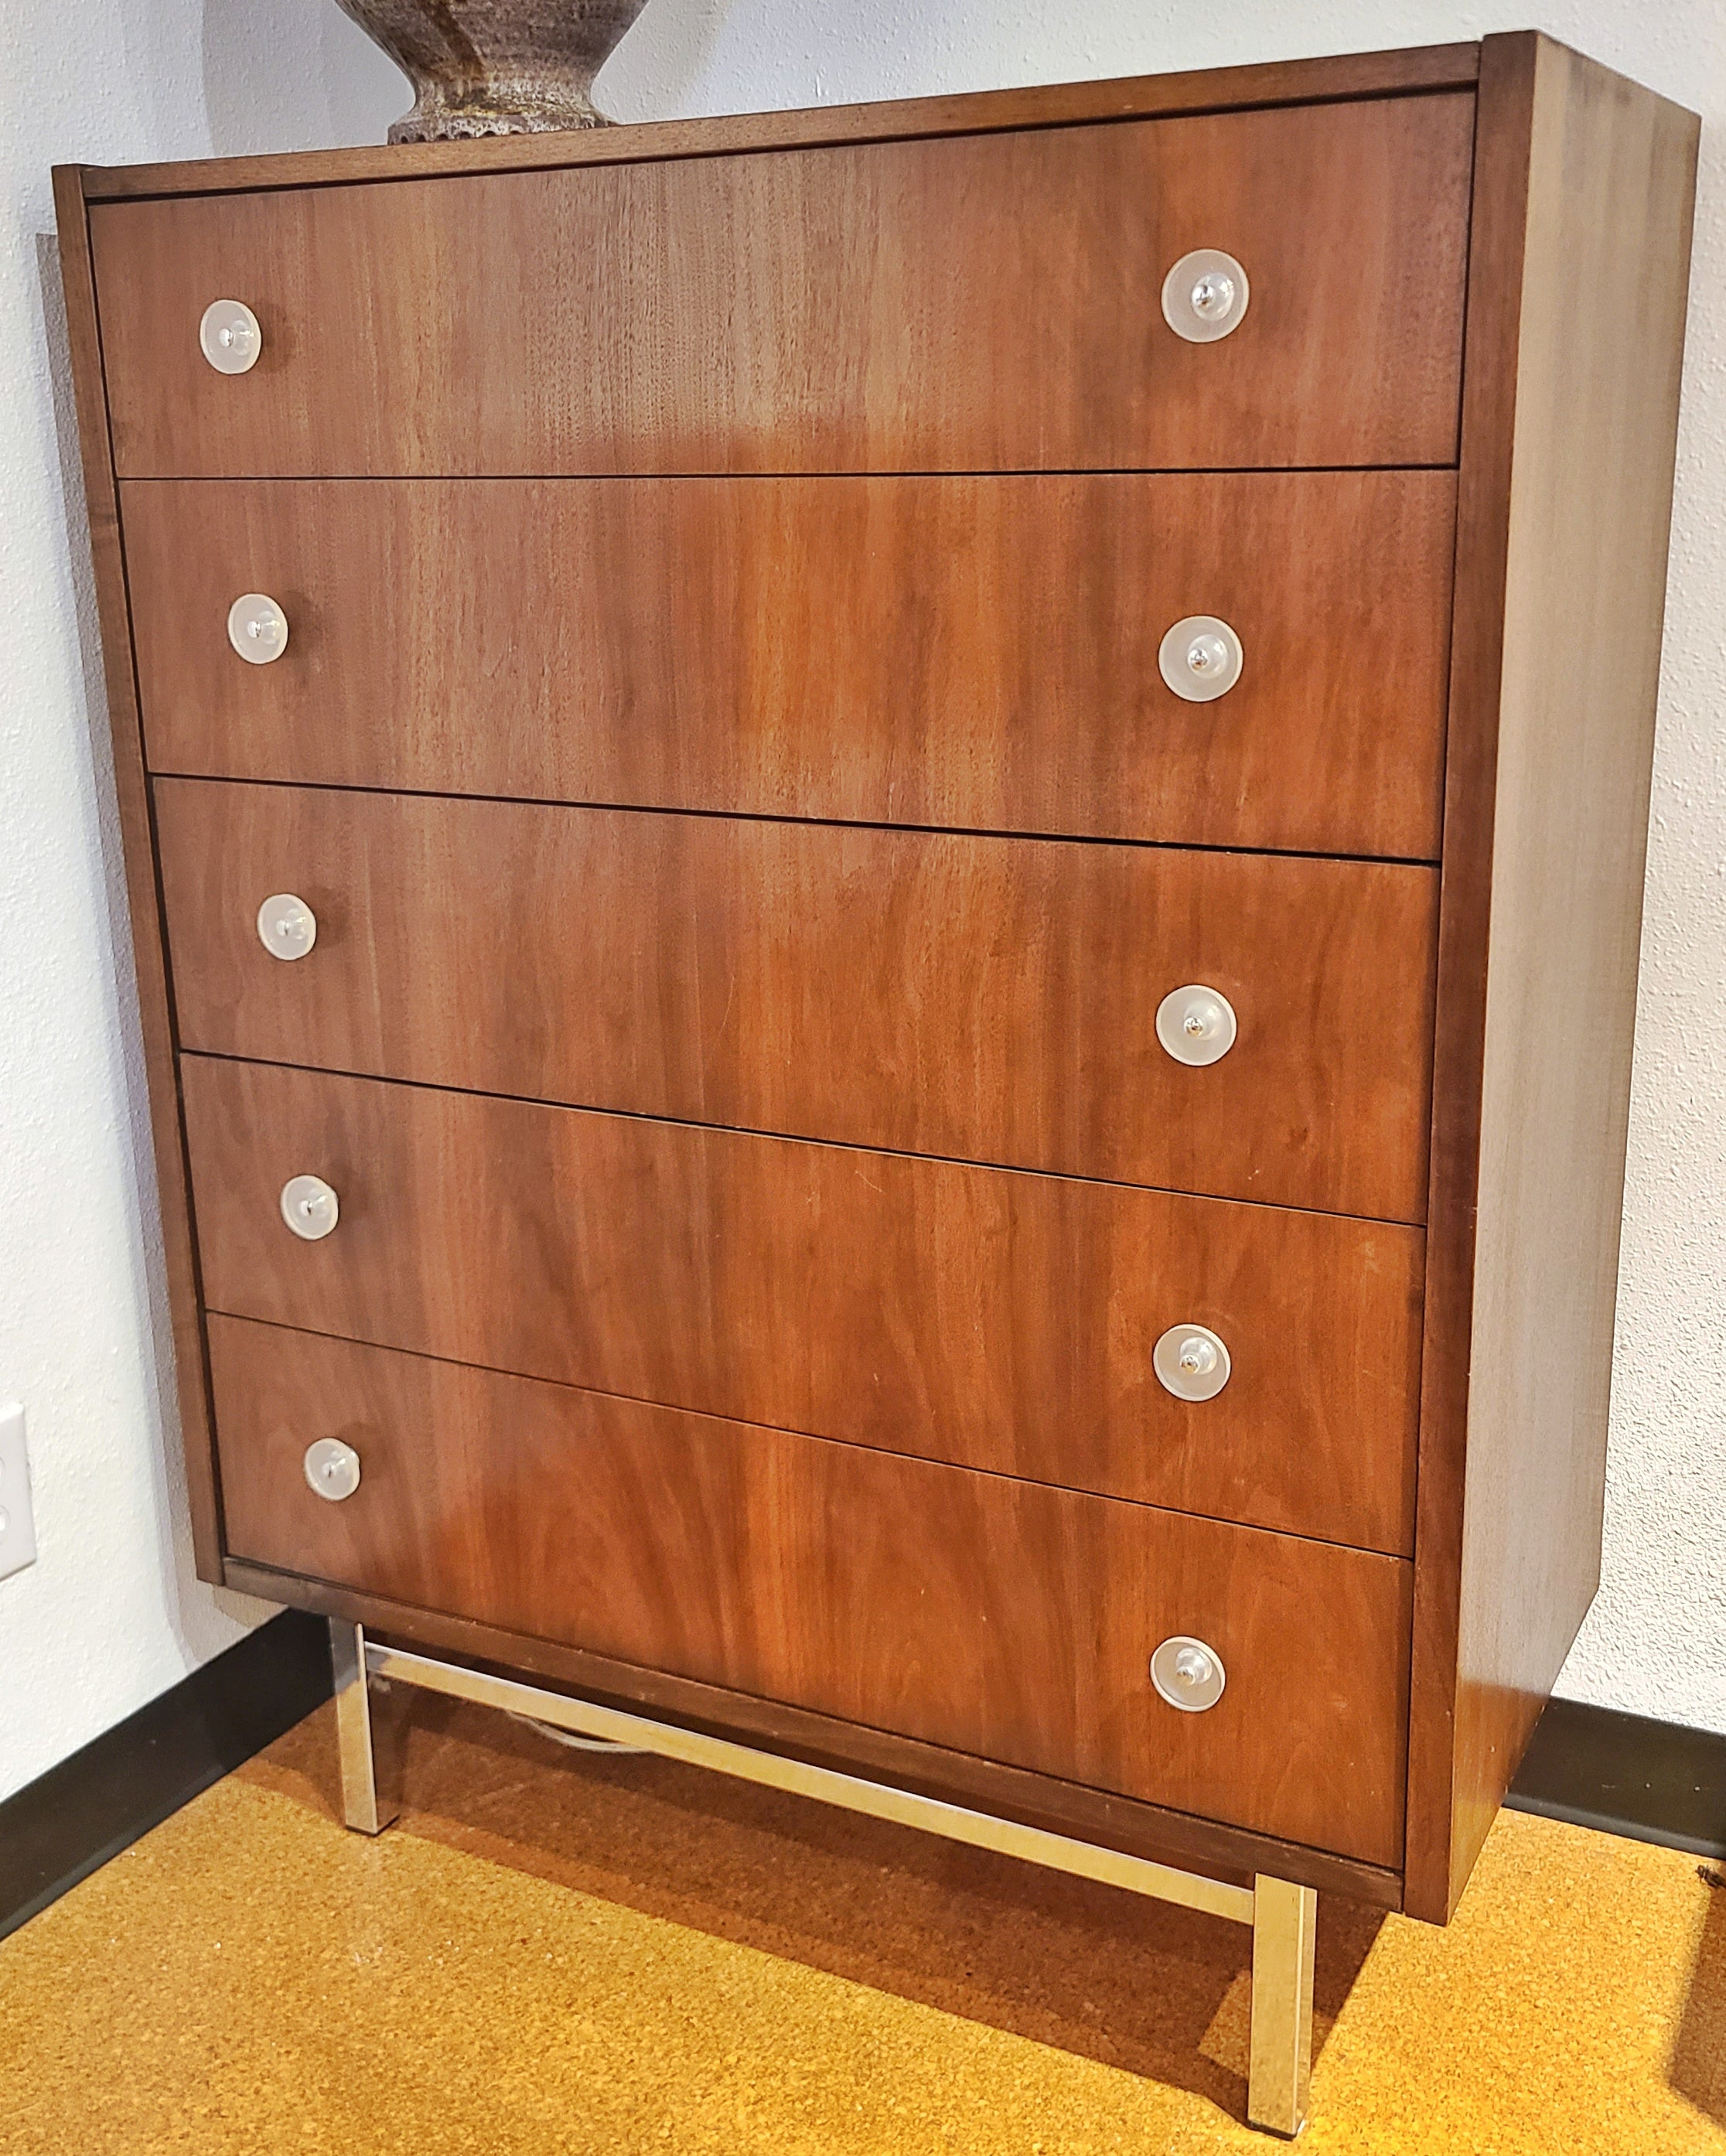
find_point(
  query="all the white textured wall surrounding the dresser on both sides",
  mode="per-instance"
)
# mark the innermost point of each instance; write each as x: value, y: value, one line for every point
x: 111, y: 1612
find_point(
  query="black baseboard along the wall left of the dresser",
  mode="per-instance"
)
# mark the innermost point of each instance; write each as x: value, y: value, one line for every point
x: 105, y: 1797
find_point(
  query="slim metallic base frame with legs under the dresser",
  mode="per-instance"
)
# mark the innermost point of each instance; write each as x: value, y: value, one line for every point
x: 1281, y: 1913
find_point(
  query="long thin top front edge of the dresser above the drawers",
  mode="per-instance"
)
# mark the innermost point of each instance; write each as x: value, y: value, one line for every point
x: 1333, y: 79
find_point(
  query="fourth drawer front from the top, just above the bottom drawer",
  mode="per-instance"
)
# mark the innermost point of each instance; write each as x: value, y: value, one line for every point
x: 975, y: 1316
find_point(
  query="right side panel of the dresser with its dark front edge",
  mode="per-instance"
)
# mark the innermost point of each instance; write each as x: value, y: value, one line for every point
x: 1576, y: 337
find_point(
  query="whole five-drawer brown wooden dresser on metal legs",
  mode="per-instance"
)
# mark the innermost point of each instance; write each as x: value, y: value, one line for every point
x: 887, y: 881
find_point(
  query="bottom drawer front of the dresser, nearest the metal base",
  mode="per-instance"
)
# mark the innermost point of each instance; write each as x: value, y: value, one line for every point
x: 964, y: 1609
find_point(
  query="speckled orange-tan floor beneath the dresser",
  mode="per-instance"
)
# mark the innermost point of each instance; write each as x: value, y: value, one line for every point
x: 557, y: 1952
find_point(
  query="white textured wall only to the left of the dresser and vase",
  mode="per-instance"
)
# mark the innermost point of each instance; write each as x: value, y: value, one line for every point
x: 111, y: 1614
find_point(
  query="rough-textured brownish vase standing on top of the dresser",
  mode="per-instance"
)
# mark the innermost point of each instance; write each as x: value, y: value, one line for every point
x: 497, y: 66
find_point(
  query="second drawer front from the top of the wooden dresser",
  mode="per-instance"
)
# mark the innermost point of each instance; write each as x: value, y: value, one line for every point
x: 966, y: 652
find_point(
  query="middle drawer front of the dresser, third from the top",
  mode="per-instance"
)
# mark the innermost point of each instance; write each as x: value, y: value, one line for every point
x: 990, y: 999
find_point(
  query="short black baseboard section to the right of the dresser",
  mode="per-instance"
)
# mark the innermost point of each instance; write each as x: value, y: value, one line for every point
x: 1626, y: 1775
